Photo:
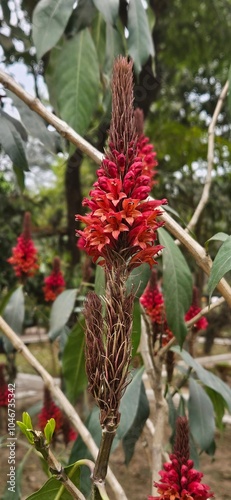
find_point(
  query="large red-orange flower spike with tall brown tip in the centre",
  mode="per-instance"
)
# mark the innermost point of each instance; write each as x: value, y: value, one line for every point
x: 122, y: 221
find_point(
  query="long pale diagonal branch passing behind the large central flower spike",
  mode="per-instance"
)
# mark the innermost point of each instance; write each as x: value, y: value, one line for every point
x: 196, y: 250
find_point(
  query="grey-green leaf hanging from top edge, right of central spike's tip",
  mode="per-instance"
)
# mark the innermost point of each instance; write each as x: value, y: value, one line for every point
x: 140, y: 45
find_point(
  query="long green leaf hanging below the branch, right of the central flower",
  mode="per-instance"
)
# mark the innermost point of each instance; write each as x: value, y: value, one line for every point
x: 177, y: 285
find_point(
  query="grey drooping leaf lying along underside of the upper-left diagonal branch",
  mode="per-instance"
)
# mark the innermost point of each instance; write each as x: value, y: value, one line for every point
x: 34, y: 124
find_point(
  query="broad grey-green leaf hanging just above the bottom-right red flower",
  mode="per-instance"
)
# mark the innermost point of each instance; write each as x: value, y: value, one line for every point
x: 201, y: 415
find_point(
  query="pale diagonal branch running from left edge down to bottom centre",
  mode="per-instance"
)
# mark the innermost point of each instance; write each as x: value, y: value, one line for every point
x: 66, y: 406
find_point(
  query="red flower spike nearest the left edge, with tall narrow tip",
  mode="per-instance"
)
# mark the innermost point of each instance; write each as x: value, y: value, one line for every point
x: 24, y: 259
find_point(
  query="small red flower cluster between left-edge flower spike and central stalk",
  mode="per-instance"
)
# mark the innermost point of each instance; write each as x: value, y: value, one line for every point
x: 54, y: 284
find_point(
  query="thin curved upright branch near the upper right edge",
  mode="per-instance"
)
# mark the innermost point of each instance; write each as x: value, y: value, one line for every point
x: 210, y: 155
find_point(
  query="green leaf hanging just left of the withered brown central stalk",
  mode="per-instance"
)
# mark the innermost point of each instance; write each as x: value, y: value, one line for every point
x: 73, y: 363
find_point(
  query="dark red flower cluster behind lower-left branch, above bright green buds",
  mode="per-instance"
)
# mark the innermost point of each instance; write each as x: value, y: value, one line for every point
x: 51, y: 410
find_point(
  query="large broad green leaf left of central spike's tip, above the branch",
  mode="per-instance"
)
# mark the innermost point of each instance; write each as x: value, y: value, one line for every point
x: 73, y: 80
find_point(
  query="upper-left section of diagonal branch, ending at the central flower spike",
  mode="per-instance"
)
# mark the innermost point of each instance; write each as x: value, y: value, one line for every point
x: 62, y: 127
